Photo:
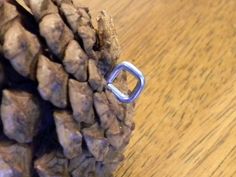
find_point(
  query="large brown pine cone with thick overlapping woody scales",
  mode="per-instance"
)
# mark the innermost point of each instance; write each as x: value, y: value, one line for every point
x: 58, y: 118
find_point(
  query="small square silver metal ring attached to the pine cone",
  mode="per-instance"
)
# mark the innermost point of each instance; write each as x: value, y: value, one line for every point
x: 126, y: 66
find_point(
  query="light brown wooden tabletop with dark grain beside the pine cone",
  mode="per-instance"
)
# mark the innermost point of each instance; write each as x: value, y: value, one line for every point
x: 186, y: 117
